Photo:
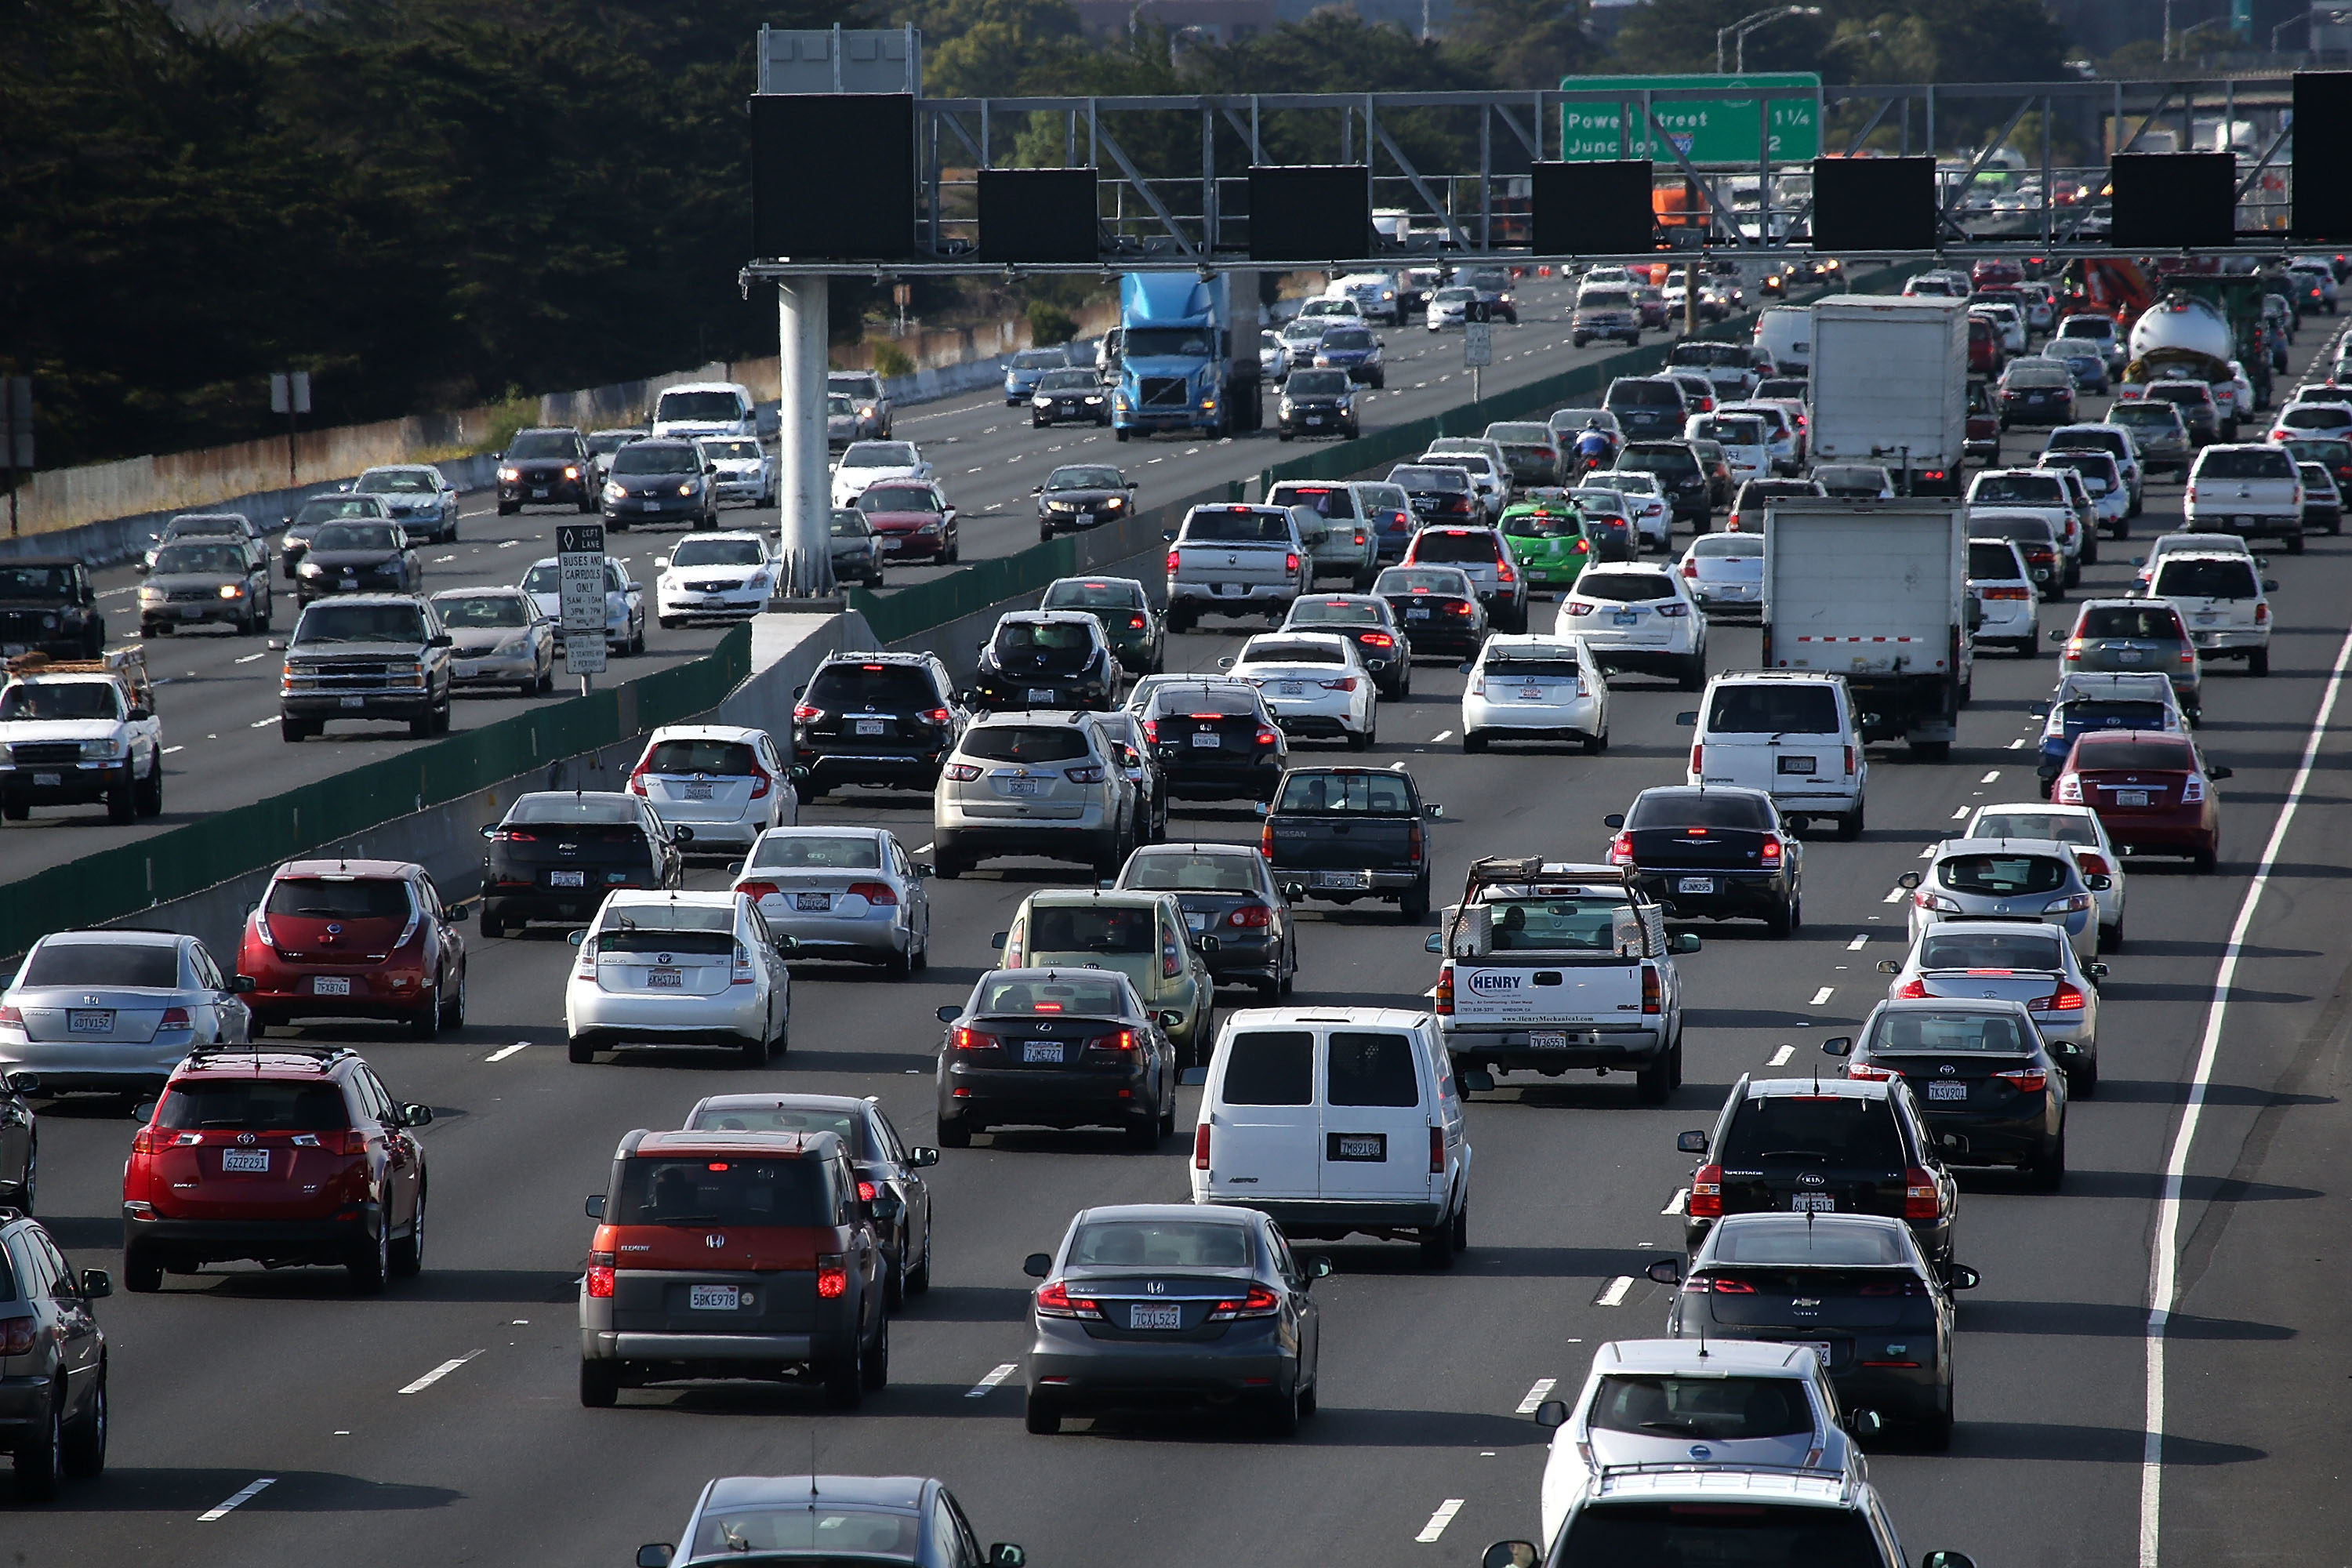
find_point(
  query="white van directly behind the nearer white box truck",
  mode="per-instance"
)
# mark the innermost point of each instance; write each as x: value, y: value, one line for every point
x: 1791, y: 735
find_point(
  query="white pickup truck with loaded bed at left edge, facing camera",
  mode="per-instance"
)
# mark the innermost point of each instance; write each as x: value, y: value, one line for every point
x: 79, y: 735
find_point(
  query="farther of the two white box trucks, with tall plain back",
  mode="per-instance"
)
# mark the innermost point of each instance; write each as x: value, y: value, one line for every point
x: 1892, y: 387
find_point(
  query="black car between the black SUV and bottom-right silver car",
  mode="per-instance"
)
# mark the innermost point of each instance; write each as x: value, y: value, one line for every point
x: 1852, y: 1287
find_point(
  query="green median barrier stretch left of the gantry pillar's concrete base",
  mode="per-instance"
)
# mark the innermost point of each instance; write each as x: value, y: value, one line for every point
x: 131, y: 878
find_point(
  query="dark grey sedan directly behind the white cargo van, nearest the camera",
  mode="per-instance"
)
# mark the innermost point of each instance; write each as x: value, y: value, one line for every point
x: 1168, y: 1306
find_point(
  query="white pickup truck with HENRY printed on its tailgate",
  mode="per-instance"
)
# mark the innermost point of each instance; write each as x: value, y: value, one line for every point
x: 1553, y: 967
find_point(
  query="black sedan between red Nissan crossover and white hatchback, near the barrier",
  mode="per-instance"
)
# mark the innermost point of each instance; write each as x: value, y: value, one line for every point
x: 559, y: 852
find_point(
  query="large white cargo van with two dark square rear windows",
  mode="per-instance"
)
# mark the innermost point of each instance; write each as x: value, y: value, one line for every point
x: 1337, y: 1123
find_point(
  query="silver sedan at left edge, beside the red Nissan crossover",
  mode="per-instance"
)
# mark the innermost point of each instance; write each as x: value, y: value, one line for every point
x: 116, y: 1012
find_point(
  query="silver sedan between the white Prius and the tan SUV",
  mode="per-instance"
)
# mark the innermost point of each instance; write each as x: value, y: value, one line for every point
x: 843, y: 894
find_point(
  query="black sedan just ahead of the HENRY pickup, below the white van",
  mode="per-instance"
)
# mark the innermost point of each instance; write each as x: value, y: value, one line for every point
x: 1718, y: 855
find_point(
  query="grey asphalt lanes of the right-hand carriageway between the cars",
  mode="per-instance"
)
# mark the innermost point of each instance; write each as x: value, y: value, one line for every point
x: 441, y: 1421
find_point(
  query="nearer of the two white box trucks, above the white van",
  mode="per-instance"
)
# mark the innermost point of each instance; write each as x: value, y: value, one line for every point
x: 1876, y: 591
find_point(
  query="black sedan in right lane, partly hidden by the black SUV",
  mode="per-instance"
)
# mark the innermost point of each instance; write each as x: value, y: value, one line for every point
x: 1984, y: 1078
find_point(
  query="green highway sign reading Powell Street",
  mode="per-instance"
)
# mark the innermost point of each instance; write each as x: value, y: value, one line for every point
x: 1706, y: 130
